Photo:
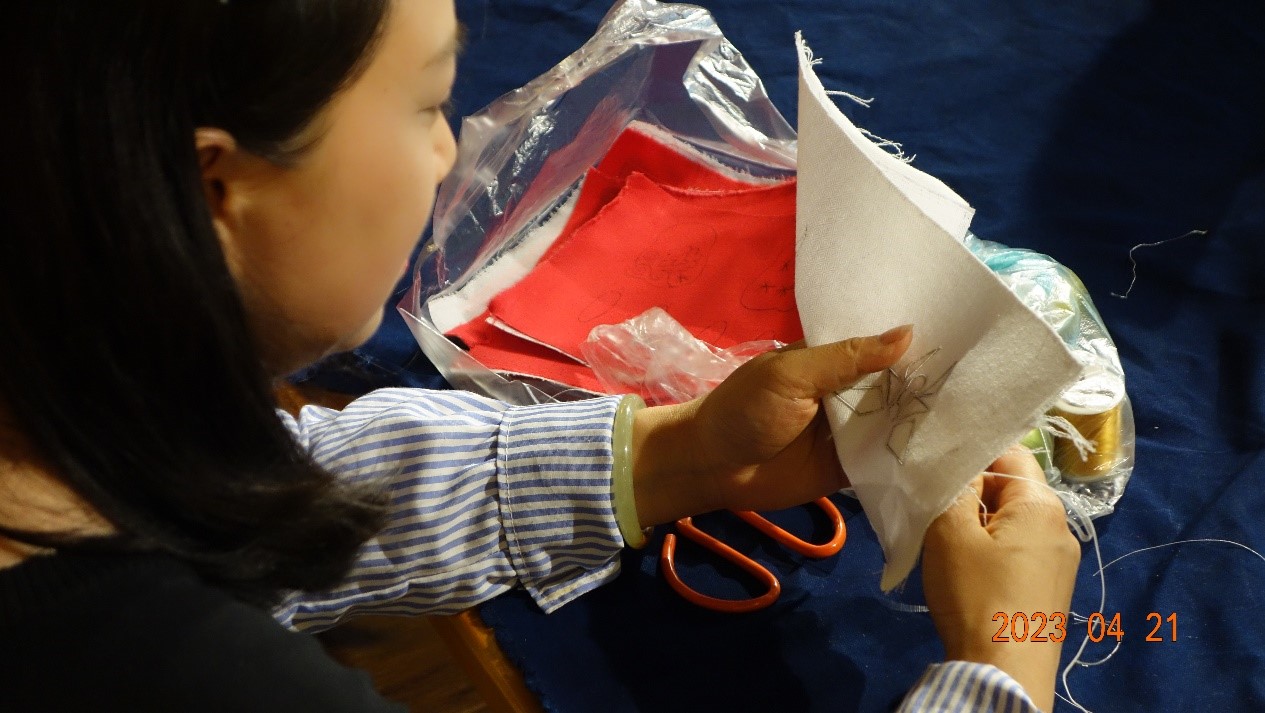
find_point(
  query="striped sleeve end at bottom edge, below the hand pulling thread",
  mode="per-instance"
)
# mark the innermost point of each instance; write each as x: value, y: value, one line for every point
x: 957, y: 687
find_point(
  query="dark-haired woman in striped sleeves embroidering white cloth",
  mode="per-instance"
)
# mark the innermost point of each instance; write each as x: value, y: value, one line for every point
x: 202, y: 197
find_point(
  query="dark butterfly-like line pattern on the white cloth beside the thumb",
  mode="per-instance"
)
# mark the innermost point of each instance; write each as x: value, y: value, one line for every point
x: 905, y: 396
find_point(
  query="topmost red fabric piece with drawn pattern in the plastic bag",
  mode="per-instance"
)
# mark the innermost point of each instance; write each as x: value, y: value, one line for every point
x: 722, y: 264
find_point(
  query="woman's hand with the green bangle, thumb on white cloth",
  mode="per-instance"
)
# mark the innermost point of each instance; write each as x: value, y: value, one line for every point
x: 761, y: 439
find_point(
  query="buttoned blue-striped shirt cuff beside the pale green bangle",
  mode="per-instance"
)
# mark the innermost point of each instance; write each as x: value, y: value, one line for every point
x: 555, y: 480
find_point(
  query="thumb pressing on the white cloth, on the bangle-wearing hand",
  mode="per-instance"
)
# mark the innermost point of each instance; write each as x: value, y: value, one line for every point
x: 814, y: 372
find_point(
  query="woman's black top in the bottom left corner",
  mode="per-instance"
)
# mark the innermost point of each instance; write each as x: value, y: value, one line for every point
x: 109, y: 633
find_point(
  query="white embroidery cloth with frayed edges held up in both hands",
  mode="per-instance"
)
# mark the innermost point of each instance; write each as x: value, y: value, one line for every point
x: 877, y: 247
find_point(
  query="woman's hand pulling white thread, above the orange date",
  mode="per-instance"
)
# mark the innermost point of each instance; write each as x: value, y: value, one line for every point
x: 1020, y: 558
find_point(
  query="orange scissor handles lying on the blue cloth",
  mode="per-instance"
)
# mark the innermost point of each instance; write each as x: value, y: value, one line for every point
x: 688, y: 529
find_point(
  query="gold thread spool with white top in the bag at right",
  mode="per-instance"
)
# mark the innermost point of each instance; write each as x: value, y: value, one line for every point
x: 1094, y: 408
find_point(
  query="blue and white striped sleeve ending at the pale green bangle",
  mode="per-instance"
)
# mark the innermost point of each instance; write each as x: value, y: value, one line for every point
x: 484, y: 497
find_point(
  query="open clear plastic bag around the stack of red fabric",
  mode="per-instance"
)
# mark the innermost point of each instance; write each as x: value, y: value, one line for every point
x: 523, y: 159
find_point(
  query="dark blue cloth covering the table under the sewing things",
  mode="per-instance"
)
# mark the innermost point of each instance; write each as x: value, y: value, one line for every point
x: 1078, y: 130
